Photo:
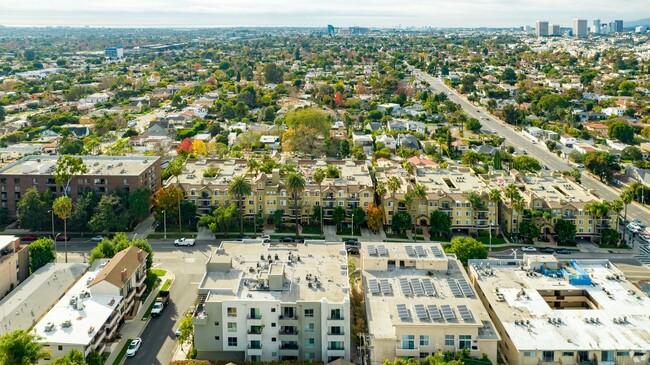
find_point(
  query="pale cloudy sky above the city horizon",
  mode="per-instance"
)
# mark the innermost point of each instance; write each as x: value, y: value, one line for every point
x: 312, y: 13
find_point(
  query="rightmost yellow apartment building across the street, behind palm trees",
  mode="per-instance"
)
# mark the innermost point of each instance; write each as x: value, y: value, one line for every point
x: 554, y: 194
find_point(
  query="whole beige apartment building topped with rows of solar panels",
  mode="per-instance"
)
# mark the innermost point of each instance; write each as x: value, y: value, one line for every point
x: 419, y: 303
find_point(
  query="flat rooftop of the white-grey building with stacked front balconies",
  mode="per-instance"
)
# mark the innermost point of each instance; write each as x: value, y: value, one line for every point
x: 311, y: 271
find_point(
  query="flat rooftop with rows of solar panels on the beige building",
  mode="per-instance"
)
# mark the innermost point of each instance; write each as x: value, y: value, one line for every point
x: 411, y: 297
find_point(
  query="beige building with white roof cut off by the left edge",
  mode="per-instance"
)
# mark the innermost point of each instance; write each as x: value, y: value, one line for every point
x: 14, y: 263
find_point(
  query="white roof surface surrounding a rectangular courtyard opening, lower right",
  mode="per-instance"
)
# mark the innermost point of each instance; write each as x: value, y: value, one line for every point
x: 600, y: 328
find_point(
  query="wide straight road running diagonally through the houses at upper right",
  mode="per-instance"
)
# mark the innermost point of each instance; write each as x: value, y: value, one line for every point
x: 537, y: 150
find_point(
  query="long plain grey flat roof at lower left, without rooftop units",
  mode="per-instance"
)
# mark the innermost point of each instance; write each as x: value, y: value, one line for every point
x: 32, y: 298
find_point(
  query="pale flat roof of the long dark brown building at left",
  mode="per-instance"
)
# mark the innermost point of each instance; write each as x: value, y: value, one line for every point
x: 97, y: 165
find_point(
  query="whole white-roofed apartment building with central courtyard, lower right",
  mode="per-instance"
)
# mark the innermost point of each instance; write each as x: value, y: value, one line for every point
x: 551, y: 312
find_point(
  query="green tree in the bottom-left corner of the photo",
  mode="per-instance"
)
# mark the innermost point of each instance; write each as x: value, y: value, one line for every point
x: 21, y: 347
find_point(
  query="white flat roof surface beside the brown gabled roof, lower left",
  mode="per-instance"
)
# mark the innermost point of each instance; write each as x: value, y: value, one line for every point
x: 85, y: 322
